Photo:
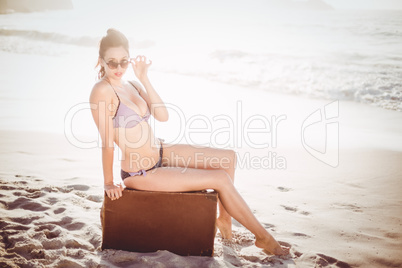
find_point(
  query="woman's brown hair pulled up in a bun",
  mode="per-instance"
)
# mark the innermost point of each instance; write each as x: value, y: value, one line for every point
x: 114, y: 38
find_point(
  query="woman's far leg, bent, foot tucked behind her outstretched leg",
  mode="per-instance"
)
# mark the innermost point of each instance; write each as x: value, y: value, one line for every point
x: 201, y: 157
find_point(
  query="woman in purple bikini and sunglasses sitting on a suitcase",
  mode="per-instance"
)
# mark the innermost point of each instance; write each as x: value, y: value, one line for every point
x: 121, y: 115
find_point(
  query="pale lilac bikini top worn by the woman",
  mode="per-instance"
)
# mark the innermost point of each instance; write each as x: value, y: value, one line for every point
x: 126, y: 117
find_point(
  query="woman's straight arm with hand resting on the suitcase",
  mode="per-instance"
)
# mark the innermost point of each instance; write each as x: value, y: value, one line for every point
x: 101, y: 100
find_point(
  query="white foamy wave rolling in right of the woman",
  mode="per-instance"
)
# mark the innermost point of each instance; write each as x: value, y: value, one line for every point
x: 344, y: 76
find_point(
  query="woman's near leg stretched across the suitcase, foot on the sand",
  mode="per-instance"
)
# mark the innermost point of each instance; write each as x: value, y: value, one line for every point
x: 177, y: 179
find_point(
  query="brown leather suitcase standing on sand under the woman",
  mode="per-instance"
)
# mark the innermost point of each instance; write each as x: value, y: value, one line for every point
x: 145, y: 221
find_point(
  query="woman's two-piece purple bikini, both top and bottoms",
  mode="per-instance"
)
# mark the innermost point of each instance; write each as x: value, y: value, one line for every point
x: 125, y: 117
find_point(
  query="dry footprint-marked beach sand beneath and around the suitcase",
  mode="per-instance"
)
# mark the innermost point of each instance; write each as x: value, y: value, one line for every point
x: 51, y: 196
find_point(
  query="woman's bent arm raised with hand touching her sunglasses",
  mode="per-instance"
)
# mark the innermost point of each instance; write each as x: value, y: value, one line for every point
x: 154, y: 101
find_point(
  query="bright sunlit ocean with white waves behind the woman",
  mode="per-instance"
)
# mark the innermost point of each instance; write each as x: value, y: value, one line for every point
x: 333, y: 55
